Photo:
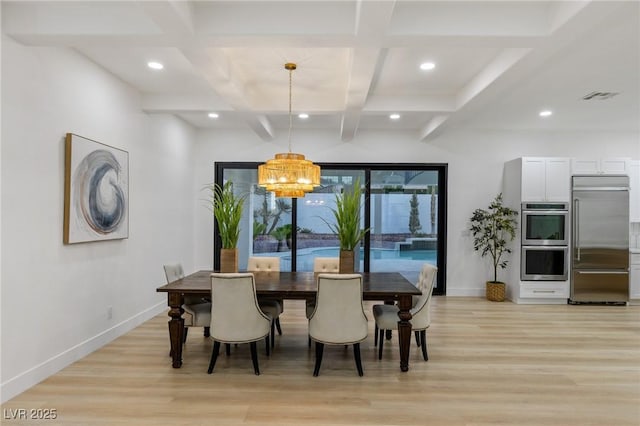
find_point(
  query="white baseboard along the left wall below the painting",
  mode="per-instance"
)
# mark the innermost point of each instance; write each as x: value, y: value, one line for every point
x: 35, y: 375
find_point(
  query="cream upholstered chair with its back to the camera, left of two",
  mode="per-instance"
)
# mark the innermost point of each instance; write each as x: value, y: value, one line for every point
x: 236, y: 316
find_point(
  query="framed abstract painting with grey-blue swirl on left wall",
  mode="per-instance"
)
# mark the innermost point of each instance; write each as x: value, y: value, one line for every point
x: 96, y: 191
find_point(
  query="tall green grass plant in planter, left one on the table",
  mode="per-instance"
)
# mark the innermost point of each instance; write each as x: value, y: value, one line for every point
x: 227, y: 211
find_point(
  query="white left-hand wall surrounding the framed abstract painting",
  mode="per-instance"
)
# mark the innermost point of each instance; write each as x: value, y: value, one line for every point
x: 55, y: 297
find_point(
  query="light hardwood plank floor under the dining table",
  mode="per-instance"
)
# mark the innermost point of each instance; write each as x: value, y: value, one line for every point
x: 489, y: 363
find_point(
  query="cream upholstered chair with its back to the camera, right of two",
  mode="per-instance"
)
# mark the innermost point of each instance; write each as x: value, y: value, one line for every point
x: 338, y: 317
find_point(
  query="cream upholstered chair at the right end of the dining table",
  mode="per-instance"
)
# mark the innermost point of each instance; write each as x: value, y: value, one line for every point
x: 386, y: 316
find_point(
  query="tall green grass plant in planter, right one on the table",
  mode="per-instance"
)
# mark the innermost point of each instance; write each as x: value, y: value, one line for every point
x: 347, y: 225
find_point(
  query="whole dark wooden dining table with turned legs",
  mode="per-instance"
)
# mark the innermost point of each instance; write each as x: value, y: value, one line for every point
x: 384, y: 286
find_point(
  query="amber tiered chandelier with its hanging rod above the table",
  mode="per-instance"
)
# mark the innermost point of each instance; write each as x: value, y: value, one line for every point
x: 289, y: 174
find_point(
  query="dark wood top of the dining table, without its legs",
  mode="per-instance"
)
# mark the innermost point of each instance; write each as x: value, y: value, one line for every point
x: 299, y: 285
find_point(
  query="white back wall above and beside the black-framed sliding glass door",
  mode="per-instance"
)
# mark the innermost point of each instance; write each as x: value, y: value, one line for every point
x: 475, y: 159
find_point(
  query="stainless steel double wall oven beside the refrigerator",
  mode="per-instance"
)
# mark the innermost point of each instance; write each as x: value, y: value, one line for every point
x: 545, y: 241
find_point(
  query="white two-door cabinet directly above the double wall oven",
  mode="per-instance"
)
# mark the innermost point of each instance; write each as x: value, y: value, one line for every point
x: 546, y: 179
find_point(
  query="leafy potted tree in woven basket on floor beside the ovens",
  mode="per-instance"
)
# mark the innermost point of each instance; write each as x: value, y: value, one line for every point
x: 492, y: 231
